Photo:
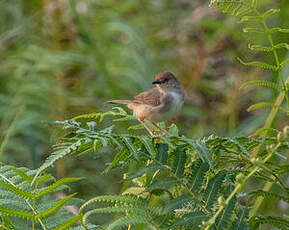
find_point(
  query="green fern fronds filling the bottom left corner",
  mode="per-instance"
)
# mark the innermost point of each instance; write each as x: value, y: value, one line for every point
x: 30, y: 206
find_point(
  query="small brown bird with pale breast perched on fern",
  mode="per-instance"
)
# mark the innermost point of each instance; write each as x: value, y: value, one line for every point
x: 160, y: 103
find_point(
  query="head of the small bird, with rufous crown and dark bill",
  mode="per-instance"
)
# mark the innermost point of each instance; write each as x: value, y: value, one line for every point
x: 167, y: 81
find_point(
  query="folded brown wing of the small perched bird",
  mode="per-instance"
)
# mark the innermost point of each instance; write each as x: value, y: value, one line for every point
x: 151, y: 97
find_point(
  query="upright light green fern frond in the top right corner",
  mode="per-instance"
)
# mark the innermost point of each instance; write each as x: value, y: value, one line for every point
x: 247, y: 11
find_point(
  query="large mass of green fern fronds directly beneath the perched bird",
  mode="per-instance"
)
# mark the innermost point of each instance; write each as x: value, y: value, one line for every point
x: 179, y: 182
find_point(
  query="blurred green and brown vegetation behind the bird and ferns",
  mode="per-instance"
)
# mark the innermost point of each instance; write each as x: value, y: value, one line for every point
x: 62, y: 58
